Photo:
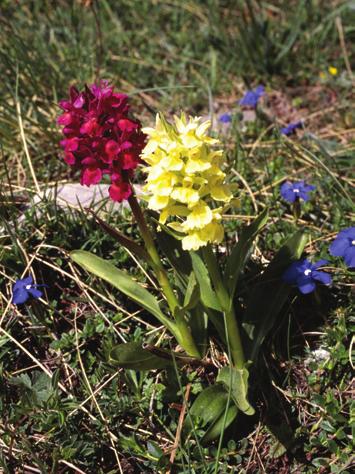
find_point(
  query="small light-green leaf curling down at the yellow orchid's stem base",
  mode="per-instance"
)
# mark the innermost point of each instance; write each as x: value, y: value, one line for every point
x: 237, y: 381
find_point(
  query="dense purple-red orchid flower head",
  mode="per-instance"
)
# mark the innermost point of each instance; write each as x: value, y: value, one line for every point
x: 101, y: 137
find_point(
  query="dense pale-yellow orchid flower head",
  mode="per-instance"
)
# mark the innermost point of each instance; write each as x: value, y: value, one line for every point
x: 185, y: 179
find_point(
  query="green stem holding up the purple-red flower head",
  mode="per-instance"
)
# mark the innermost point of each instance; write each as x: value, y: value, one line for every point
x: 183, y: 333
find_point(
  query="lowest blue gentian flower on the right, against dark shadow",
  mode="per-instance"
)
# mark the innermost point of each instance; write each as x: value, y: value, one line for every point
x: 304, y: 274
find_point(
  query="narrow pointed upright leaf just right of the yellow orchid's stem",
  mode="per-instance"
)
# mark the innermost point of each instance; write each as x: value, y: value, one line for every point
x: 241, y: 250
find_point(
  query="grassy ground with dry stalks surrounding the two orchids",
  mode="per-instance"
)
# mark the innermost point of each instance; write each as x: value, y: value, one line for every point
x: 64, y: 407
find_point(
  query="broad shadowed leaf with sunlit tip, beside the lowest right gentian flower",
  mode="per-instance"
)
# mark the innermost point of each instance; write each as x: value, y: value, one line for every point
x: 269, y: 294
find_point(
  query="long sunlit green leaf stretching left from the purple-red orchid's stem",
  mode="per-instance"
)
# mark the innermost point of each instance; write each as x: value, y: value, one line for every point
x: 108, y: 272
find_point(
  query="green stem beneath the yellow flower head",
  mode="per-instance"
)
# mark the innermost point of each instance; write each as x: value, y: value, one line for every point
x: 233, y: 333
